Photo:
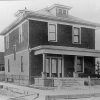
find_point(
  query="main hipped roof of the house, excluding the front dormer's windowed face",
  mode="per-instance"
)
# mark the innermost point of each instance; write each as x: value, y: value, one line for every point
x: 46, y: 14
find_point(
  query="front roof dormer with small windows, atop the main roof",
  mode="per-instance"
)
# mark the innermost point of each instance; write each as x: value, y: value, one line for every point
x: 59, y: 10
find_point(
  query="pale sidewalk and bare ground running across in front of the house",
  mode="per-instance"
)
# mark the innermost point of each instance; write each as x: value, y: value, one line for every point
x: 29, y: 93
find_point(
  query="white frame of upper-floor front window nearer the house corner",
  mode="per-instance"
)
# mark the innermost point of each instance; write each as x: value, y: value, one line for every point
x: 51, y: 40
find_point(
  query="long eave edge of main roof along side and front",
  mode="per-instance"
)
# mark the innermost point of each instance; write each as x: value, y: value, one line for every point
x: 30, y: 15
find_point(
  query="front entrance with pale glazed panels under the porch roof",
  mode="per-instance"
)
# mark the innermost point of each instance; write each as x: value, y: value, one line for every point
x: 54, y: 67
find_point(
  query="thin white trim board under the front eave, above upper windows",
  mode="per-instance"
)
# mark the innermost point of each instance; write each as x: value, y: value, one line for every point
x: 60, y: 22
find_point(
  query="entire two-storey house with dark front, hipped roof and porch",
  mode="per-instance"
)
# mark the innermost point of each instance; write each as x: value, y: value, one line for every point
x: 49, y: 44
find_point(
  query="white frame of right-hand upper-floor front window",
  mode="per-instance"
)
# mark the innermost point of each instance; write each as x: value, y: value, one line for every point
x: 79, y: 35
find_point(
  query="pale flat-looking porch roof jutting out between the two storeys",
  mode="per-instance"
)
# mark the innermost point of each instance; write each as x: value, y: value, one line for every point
x: 49, y: 49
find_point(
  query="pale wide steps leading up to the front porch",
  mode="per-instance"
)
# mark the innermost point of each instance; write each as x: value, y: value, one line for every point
x: 72, y: 82
